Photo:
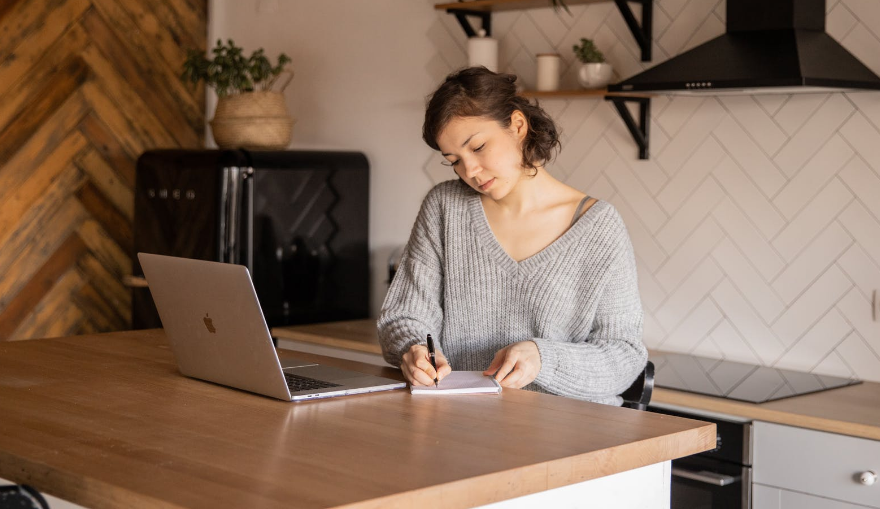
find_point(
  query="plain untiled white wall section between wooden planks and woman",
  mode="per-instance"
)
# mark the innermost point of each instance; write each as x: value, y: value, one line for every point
x: 360, y: 84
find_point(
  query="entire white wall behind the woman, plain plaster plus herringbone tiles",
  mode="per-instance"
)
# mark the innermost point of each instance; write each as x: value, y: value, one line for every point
x: 756, y: 222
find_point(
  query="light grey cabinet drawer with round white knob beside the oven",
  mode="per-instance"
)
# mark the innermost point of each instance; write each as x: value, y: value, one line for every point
x: 815, y: 462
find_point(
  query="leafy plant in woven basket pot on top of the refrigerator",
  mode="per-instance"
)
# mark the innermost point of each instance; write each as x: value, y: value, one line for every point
x: 249, y: 113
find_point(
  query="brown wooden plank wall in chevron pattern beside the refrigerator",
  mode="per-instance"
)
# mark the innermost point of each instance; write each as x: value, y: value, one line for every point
x: 85, y: 87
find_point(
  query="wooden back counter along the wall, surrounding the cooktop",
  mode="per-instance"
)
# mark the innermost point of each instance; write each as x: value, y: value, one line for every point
x: 853, y: 410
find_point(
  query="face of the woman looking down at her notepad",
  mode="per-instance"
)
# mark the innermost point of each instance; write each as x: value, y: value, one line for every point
x: 485, y: 155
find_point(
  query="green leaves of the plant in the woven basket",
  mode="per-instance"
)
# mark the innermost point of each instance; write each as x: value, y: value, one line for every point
x: 230, y: 72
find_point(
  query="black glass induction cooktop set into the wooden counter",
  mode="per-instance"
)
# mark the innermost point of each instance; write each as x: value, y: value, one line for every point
x: 737, y: 380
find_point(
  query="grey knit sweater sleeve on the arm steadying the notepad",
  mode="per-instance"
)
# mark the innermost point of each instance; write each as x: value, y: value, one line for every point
x: 613, y: 355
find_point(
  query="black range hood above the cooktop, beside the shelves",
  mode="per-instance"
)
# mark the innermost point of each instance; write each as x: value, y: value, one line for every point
x: 771, y: 46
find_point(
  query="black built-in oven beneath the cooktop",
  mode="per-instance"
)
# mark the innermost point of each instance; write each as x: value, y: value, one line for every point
x: 716, y: 479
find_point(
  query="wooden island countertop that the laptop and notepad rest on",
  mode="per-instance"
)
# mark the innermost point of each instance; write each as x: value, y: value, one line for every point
x: 107, y: 421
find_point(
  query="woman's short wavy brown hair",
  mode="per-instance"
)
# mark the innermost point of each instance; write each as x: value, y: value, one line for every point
x: 479, y: 92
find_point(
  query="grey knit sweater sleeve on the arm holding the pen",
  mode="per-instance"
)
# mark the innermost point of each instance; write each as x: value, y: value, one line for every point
x: 413, y: 305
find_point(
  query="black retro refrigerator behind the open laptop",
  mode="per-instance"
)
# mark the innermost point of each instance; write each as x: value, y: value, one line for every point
x: 297, y: 219
